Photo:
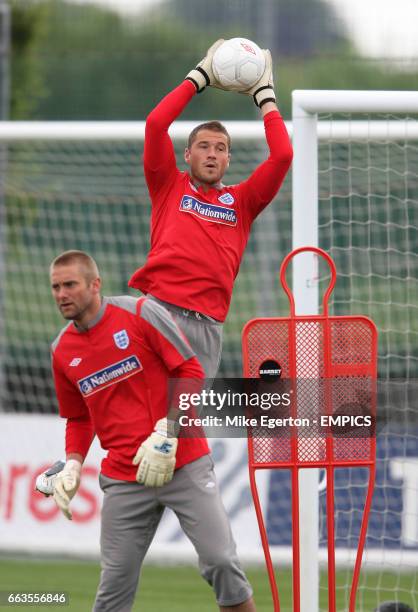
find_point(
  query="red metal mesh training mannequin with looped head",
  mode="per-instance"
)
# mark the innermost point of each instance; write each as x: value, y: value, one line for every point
x: 287, y: 455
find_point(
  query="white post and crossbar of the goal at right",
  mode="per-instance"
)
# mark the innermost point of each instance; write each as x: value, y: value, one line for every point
x: 308, y: 132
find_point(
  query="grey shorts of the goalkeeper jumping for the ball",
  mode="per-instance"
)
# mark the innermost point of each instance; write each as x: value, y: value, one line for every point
x: 203, y: 333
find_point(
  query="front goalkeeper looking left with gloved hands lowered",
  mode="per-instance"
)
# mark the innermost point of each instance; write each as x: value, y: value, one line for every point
x: 111, y: 365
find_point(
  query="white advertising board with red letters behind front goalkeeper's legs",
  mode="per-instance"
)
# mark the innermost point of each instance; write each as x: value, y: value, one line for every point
x: 29, y: 522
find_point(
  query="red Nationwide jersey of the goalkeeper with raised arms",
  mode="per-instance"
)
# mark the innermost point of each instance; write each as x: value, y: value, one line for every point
x: 198, y: 238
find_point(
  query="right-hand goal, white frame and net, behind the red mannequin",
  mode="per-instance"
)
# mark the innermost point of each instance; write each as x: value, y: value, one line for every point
x: 355, y: 194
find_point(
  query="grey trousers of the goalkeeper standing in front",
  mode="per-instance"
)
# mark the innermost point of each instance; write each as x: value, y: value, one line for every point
x: 130, y: 516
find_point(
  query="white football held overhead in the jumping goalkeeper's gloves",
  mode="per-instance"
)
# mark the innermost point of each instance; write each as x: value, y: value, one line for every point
x: 238, y: 63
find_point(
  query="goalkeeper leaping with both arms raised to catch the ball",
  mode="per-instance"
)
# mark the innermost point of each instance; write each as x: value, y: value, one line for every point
x: 199, y: 226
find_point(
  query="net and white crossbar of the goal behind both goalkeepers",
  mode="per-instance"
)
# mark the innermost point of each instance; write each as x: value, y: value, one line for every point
x: 82, y: 186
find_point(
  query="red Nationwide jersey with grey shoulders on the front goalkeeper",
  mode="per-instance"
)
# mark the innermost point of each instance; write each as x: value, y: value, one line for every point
x: 112, y: 379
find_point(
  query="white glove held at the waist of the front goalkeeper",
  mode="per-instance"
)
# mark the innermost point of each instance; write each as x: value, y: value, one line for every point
x: 157, y: 456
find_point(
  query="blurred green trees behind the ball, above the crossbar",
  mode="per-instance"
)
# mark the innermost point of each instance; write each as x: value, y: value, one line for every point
x: 72, y: 61
